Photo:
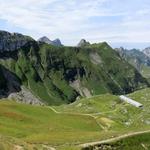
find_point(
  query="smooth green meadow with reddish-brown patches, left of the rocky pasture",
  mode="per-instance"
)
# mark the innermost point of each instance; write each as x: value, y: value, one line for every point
x: 42, y: 125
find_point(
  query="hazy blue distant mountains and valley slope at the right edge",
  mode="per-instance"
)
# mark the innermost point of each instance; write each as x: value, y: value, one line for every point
x: 138, y: 59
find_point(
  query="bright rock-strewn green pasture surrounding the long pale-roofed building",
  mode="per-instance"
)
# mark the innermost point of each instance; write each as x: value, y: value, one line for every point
x: 114, y: 116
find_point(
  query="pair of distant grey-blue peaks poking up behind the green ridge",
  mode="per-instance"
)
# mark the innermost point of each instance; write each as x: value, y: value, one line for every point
x: 45, y: 39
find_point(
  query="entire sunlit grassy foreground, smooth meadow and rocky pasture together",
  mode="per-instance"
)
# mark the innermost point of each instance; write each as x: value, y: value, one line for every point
x: 41, y: 125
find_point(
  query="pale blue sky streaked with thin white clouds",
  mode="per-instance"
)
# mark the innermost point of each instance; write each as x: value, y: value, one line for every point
x: 119, y: 22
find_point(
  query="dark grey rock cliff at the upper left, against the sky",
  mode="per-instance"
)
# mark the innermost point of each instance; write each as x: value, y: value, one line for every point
x: 12, y: 41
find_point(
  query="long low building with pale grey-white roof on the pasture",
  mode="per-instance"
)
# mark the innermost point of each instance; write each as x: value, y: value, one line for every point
x: 130, y: 101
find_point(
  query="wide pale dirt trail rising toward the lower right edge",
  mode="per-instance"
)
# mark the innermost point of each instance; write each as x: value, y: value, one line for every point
x: 112, y: 139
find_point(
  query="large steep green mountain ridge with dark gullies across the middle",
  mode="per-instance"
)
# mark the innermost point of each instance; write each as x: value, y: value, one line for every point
x: 57, y: 75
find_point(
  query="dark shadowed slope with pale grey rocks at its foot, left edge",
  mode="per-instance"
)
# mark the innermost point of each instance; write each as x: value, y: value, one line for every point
x: 10, y: 88
